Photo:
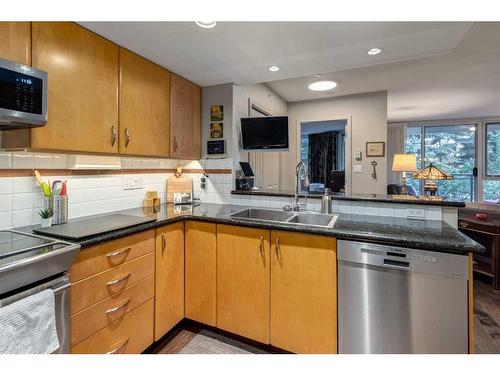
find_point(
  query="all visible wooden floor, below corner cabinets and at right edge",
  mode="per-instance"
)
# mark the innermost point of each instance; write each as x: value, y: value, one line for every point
x: 192, y: 339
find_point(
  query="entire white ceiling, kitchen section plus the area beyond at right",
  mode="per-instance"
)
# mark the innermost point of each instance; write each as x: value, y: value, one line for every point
x: 431, y: 70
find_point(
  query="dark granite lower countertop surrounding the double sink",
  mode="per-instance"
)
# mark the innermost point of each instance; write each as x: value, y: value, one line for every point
x: 429, y: 235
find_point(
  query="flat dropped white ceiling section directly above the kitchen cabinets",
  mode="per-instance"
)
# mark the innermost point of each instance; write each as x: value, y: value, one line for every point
x: 241, y: 52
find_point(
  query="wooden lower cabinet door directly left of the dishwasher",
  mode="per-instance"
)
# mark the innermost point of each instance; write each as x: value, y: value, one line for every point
x: 303, y: 292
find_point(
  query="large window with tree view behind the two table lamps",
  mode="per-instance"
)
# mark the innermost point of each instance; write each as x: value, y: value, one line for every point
x: 452, y: 148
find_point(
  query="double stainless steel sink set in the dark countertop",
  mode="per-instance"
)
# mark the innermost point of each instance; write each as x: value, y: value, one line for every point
x: 287, y: 217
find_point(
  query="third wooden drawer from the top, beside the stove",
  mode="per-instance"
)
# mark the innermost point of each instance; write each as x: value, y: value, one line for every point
x: 89, y: 321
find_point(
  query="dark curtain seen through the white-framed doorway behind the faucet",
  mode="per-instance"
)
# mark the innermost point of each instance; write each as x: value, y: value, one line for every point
x: 322, y: 155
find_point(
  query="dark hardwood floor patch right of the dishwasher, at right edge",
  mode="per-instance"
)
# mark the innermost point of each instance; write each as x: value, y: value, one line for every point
x: 486, y: 318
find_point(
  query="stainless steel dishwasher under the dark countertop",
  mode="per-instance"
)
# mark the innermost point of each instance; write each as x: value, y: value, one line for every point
x: 399, y: 300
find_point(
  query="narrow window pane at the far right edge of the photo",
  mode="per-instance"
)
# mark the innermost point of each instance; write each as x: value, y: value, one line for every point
x: 491, y: 183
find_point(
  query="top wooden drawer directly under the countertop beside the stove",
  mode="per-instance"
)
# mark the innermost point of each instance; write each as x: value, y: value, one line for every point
x: 111, y: 254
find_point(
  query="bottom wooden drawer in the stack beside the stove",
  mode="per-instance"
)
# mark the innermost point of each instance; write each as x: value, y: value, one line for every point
x: 129, y: 335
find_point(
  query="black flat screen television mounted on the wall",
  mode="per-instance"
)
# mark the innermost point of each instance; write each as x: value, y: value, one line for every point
x: 264, y: 133
